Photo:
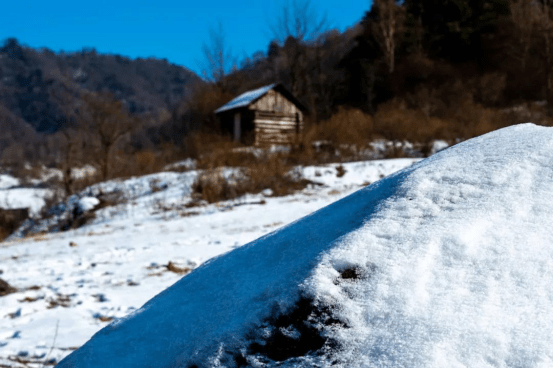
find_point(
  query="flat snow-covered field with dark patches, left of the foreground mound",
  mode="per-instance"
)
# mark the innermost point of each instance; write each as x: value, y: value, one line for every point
x: 71, y: 284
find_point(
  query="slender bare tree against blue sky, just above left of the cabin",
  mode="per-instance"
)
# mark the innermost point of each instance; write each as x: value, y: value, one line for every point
x: 218, y: 59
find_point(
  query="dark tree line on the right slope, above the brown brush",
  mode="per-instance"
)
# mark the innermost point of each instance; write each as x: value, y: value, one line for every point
x: 401, y: 47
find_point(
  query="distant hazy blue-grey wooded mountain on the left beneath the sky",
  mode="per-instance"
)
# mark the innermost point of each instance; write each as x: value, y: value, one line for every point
x: 30, y: 81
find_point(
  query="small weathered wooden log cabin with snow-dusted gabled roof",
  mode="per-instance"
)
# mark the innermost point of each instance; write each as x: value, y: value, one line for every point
x: 266, y: 116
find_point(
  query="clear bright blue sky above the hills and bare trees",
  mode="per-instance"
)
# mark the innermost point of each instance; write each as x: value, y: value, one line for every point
x: 174, y: 30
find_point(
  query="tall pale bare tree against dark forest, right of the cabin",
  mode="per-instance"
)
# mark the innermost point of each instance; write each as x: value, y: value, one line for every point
x: 387, y: 27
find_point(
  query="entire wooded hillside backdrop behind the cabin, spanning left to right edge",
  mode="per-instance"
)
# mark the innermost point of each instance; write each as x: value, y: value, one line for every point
x: 411, y: 71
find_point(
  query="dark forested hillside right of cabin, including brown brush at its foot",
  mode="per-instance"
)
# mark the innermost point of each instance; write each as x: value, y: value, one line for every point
x: 415, y: 70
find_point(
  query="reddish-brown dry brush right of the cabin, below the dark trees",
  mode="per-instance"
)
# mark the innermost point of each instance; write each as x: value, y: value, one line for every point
x: 455, y: 110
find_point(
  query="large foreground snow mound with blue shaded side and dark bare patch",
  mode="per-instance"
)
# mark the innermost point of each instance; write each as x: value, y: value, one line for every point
x: 448, y: 263
